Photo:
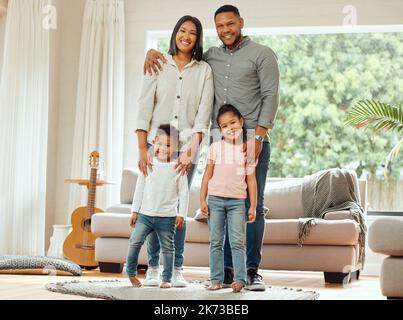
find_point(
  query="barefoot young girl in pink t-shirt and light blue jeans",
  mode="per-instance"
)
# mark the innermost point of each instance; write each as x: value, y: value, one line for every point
x: 229, y: 175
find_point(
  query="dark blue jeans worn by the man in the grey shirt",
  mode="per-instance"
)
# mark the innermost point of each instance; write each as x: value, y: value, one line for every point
x: 254, y: 231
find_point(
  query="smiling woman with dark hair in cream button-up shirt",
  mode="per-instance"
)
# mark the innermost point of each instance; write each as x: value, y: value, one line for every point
x: 182, y: 94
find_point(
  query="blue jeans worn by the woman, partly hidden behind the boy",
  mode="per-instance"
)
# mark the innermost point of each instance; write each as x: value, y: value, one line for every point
x: 153, y: 246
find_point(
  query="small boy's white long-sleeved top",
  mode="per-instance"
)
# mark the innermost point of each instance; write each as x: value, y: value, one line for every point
x: 160, y: 193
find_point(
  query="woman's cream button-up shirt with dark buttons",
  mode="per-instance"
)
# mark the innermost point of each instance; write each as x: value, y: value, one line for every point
x: 182, y: 98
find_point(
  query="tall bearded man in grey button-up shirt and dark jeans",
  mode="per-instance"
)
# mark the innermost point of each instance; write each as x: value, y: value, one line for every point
x: 246, y: 74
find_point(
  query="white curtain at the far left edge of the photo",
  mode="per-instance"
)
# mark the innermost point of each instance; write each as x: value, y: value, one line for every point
x: 24, y: 92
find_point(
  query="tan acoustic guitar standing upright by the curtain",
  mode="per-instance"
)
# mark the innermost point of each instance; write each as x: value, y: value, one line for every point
x: 79, y: 245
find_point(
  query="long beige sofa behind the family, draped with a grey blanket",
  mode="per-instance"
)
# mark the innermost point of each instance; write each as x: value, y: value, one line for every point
x: 332, y: 246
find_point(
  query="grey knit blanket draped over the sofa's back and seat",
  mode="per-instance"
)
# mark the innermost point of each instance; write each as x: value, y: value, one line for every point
x: 329, y: 191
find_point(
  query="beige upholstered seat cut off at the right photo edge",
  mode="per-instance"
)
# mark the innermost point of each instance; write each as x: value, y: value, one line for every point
x: 386, y: 237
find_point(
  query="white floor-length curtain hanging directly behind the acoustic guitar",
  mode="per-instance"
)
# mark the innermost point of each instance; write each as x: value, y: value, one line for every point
x: 99, y: 123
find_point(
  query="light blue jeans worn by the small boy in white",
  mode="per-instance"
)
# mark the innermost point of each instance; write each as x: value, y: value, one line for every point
x: 164, y: 228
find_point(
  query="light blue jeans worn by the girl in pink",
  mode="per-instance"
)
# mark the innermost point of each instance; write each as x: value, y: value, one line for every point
x: 227, y: 213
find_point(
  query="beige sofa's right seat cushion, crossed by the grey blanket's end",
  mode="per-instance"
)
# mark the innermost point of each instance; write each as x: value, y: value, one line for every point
x: 326, y: 232
